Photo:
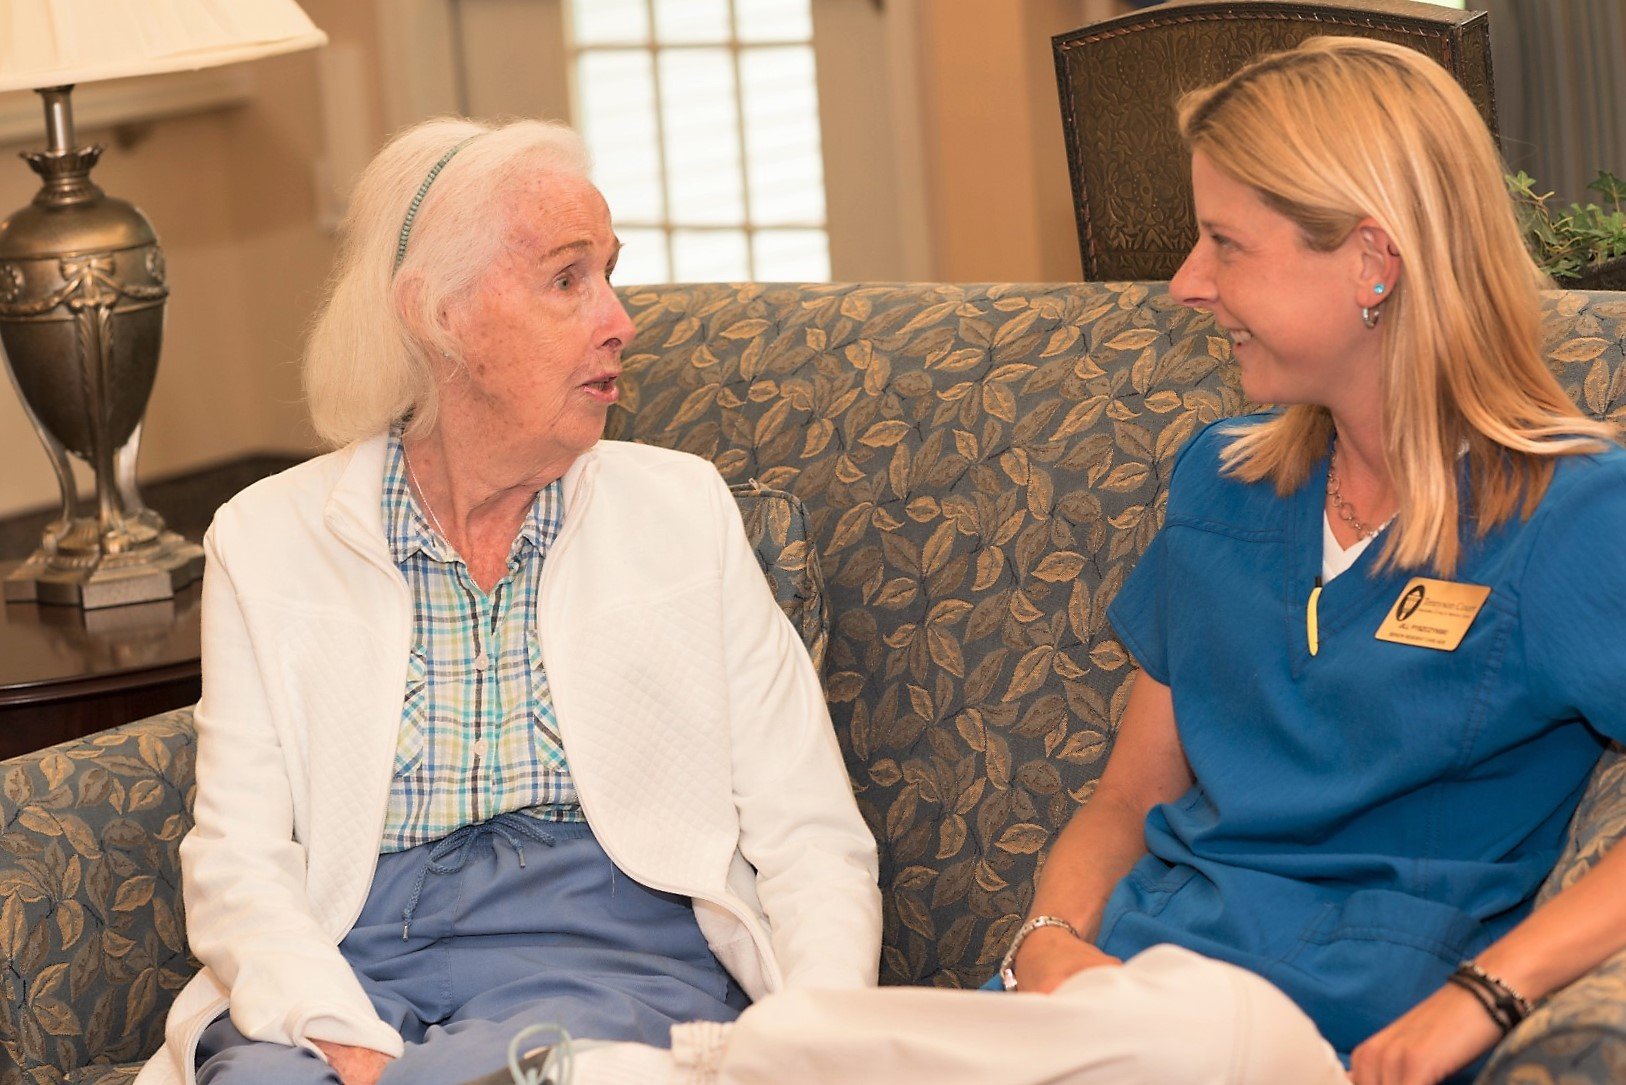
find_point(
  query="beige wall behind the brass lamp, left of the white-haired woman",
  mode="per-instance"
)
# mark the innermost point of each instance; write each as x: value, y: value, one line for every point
x: 233, y: 196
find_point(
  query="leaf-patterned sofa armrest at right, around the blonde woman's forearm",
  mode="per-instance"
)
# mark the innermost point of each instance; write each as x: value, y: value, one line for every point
x: 1580, y: 1034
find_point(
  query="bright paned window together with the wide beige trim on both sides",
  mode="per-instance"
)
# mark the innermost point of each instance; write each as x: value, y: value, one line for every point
x: 848, y: 155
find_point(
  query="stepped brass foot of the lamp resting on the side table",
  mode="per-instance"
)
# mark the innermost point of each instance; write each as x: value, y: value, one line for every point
x: 157, y: 572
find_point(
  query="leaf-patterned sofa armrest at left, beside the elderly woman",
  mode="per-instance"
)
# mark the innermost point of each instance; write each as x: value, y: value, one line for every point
x: 92, y: 935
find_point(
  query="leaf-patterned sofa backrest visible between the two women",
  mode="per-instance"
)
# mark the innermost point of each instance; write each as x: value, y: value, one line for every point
x: 981, y: 466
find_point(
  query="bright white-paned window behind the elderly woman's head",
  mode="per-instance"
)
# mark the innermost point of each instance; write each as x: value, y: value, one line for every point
x: 703, y: 123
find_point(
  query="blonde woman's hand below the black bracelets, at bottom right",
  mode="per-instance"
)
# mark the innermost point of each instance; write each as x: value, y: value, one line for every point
x: 1437, y: 1039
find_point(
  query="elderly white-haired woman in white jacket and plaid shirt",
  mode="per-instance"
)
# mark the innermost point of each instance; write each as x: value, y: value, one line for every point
x: 500, y: 721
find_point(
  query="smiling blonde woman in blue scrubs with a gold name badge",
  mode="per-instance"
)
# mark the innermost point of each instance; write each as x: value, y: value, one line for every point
x: 1381, y: 645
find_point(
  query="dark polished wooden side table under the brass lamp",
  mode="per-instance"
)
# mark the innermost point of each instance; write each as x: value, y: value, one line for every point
x: 69, y: 673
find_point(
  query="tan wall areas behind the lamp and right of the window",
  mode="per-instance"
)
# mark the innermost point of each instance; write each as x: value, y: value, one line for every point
x: 238, y: 201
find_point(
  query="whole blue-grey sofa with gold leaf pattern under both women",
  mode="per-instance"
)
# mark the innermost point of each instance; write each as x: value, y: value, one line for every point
x: 980, y: 466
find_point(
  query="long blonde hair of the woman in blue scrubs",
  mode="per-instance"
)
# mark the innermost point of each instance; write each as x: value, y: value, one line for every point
x: 1344, y: 129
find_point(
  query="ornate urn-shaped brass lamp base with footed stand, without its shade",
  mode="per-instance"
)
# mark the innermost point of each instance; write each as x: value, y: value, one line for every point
x: 82, y: 315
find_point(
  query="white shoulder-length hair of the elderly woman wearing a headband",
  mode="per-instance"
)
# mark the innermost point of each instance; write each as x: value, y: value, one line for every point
x: 368, y: 362
